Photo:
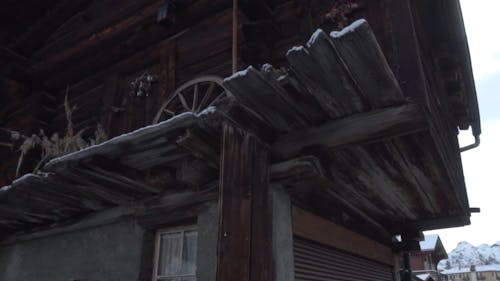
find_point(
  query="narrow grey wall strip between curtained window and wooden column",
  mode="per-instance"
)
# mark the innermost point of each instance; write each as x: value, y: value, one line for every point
x: 208, y: 231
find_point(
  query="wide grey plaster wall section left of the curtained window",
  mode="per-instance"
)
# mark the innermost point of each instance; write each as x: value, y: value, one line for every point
x: 105, y: 253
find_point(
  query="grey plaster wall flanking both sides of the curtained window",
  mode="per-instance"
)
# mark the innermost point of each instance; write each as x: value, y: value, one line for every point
x: 107, y: 246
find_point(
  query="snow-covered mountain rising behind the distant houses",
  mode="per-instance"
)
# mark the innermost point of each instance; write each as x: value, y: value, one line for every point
x: 466, y: 254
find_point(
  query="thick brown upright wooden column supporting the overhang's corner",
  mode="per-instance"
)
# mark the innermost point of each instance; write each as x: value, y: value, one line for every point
x: 245, y: 252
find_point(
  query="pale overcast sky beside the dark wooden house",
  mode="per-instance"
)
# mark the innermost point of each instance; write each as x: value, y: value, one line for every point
x: 481, y: 164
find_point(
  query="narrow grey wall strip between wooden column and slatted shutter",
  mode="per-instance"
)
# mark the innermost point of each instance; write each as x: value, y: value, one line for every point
x: 282, y: 235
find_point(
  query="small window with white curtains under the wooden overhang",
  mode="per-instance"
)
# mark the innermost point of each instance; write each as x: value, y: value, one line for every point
x: 175, y: 254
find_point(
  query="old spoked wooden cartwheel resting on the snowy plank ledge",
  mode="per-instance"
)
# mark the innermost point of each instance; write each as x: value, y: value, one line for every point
x: 193, y: 96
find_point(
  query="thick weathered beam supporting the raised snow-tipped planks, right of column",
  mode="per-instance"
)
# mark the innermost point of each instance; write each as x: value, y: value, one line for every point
x: 360, y: 128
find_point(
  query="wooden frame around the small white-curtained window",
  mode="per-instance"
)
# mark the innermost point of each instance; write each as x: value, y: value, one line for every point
x: 156, y: 258
